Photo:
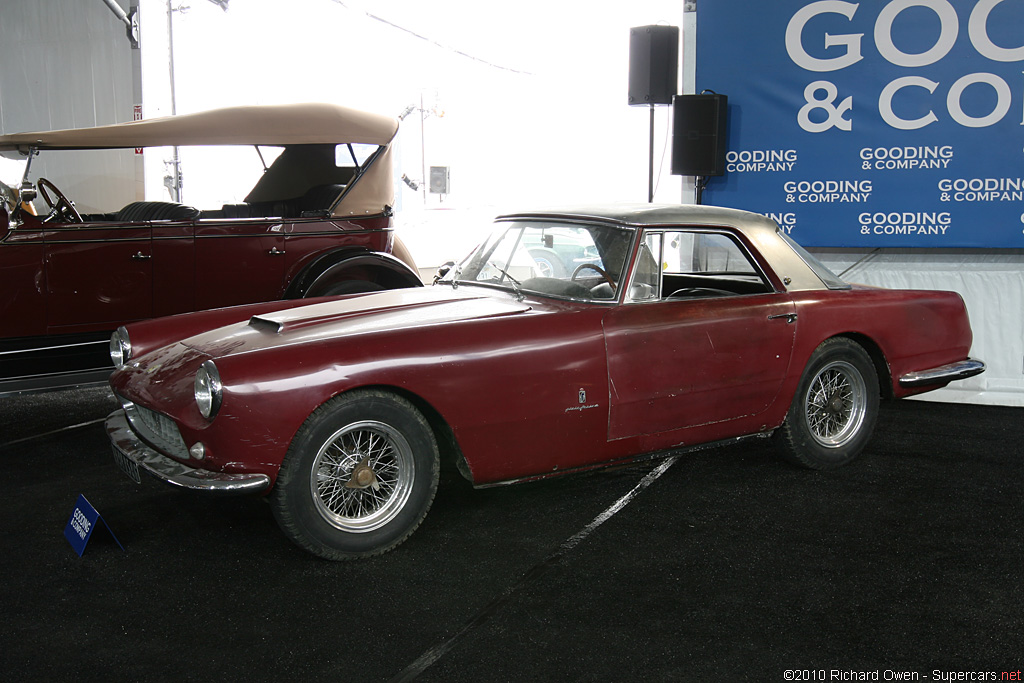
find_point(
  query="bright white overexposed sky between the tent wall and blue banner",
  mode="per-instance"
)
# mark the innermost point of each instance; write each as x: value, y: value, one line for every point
x: 534, y: 94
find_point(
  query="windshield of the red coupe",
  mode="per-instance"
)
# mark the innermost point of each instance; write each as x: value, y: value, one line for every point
x: 566, y: 261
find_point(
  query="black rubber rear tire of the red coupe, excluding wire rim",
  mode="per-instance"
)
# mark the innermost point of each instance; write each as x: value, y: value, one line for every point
x: 794, y: 439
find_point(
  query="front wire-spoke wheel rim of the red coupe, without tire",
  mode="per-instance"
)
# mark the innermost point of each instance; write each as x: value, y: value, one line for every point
x: 363, y: 477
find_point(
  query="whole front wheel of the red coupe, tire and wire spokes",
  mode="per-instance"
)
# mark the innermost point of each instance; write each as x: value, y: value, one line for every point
x: 359, y: 478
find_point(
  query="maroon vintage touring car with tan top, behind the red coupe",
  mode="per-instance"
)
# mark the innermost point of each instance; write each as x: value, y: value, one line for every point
x: 317, y: 223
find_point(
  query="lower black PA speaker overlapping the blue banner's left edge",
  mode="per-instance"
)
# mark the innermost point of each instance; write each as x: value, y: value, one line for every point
x: 699, y: 138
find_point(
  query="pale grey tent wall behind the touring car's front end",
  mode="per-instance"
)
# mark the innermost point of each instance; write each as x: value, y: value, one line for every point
x: 69, y: 64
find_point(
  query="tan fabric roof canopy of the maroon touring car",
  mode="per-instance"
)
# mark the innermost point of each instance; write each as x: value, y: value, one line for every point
x: 273, y: 124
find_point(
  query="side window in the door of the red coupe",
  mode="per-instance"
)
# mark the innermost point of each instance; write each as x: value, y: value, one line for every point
x: 689, y: 265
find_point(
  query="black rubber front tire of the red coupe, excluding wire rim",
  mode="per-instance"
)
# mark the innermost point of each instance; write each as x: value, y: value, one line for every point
x: 291, y: 502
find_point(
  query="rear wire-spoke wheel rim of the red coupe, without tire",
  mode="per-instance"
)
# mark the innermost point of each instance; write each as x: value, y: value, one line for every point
x: 836, y: 405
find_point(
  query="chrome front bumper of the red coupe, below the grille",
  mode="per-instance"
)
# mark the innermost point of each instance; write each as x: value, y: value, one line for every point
x: 170, y: 472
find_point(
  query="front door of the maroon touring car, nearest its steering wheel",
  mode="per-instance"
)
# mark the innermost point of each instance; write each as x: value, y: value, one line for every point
x: 99, y: 276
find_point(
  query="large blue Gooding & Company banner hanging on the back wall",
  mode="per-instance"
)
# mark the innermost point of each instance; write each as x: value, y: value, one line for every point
x: 872, y: 124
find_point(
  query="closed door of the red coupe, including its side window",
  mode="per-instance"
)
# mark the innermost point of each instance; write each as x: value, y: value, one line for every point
x: 690, y: 361
